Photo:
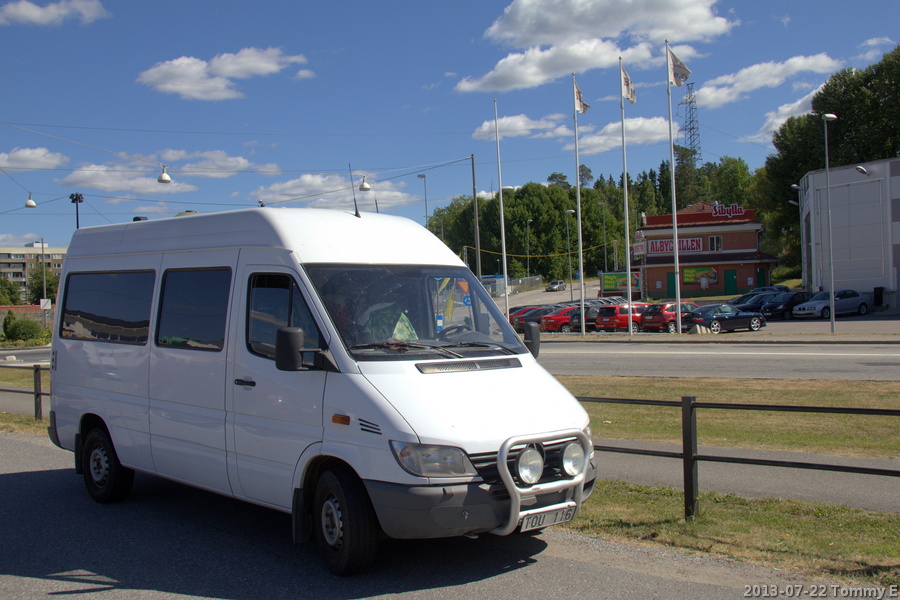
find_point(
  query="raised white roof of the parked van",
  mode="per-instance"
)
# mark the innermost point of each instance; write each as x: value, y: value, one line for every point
x: 316, y: 235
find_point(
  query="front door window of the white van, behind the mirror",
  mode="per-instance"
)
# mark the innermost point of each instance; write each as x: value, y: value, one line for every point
x: 275, y: 301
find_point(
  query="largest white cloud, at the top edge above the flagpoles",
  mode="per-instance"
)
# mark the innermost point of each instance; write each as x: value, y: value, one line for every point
x: 557, y: 37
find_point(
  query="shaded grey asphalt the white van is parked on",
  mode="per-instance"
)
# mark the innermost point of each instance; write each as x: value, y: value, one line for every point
x: 169, y: 541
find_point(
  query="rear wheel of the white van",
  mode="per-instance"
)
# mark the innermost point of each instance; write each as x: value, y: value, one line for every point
x: 104, y: 476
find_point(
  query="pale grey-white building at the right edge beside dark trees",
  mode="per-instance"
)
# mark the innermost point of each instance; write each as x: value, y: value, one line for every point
x: 864, y: 230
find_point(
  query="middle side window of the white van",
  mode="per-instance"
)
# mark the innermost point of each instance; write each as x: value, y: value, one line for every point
x: 193, y: 309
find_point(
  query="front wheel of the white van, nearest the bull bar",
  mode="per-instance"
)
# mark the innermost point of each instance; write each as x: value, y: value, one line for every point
x: 345, y: 525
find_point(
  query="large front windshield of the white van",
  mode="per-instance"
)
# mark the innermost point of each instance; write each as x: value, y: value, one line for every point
x: 411, y: 312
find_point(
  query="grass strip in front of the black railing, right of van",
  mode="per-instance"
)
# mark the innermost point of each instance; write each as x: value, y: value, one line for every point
x: 820, y: 541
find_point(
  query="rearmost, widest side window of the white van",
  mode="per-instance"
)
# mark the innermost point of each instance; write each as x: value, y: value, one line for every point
x: 108, y: 307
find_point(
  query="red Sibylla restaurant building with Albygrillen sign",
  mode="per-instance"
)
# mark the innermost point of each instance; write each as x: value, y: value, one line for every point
x: 718, y: 252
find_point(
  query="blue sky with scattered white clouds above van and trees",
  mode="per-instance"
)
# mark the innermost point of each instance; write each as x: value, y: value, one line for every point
x: 276, y: 101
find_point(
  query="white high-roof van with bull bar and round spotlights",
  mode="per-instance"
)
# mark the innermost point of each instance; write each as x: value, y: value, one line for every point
x: 346, y: 369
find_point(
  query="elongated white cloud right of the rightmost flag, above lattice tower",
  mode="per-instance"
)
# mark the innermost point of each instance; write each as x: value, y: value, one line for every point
x: 729, y: 88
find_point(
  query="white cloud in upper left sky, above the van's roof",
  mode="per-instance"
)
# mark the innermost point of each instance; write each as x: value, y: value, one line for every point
x: 196, y: 79
